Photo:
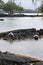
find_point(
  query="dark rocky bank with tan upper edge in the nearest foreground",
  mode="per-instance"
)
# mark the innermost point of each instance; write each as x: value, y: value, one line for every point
x: 7, y: 58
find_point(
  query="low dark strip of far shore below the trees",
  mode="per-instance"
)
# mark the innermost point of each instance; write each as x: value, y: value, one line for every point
x: 19, y: 15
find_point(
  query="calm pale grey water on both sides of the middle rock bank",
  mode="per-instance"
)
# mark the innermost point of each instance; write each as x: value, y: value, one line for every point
x: 28, y: 47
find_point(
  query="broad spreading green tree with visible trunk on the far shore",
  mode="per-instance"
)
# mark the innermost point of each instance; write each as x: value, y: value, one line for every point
x: 11, y: 6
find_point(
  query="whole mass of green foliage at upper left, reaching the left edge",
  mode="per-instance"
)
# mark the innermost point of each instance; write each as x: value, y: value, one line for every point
x: 10, y: 7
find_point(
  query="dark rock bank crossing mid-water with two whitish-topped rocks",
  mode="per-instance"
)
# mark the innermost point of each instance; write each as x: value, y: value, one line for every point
x: 22, y: 34
